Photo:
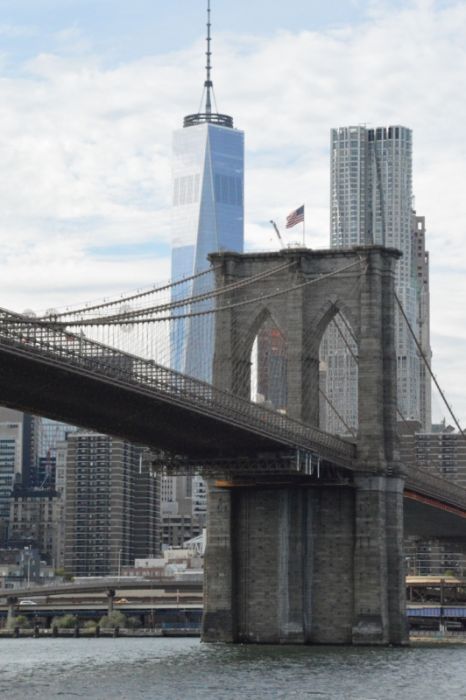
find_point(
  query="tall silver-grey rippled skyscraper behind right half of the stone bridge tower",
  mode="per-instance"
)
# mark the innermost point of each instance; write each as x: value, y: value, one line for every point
x: 371, y: 203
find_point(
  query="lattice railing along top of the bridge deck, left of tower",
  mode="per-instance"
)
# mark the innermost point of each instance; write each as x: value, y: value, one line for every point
x: 40, y: 338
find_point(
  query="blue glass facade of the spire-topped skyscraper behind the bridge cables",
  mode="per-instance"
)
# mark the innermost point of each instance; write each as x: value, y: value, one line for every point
x: 207, y: 216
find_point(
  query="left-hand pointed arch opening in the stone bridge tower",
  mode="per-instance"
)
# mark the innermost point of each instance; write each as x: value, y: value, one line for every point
x: 269, y: 366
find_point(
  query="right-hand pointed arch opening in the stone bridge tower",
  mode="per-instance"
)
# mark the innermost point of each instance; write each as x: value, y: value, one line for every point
x: 338, y: 376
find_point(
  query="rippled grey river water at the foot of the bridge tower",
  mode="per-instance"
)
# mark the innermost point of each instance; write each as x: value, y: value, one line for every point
x: 179, y: 669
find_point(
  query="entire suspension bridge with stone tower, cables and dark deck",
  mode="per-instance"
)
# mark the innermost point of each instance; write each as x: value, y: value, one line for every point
x: 298, y: 518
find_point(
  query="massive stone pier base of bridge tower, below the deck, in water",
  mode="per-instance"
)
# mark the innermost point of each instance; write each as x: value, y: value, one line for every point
x: 296, y: 565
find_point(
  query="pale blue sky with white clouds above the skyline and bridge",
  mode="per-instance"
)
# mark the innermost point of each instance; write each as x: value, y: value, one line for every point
x: 91, y: 91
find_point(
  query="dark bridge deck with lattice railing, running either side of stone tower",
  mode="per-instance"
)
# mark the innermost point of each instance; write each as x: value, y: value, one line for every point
x: 117, y: 393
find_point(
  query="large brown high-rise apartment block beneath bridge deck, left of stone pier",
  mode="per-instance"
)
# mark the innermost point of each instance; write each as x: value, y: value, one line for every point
x: 112, y: 510
